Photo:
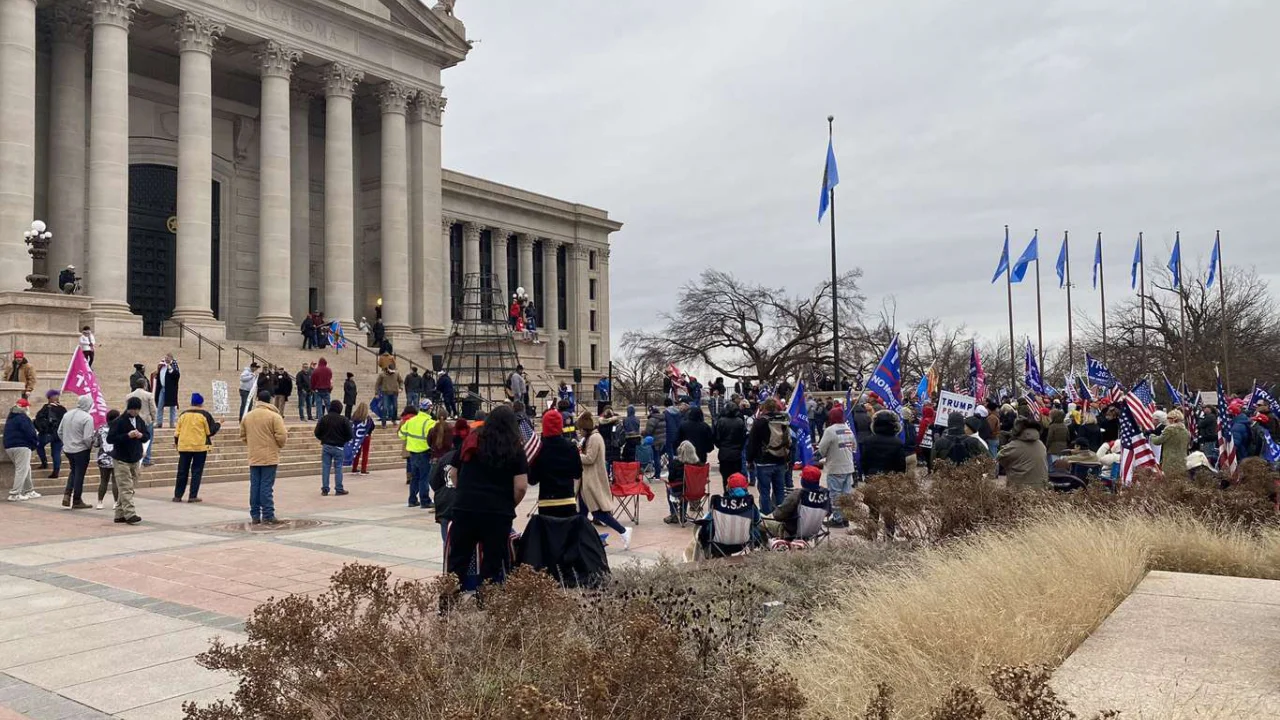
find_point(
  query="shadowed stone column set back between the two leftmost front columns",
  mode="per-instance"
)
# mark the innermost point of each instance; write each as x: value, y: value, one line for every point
x: 67, y: 140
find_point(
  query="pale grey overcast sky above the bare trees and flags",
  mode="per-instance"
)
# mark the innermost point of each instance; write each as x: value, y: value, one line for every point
x: 702, y: 126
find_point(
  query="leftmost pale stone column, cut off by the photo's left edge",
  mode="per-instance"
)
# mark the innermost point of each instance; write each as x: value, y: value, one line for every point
x: 17, y: 139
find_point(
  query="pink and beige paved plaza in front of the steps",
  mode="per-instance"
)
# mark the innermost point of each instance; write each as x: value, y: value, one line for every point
x: 106, y: 621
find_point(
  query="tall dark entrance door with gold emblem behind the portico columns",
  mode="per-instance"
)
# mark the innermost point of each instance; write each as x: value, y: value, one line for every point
x: 153, y: 244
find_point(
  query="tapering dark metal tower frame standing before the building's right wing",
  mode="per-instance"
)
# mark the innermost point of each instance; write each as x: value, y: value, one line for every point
x: 482, y: 349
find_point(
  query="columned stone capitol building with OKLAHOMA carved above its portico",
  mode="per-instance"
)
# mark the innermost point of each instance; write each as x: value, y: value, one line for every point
x: 234, y: 165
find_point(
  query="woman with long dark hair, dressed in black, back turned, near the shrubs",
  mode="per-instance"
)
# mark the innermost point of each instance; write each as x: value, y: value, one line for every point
x: 491, y: 476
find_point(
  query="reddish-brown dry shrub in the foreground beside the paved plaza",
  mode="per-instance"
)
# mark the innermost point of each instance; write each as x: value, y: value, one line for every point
x: 369, y: 649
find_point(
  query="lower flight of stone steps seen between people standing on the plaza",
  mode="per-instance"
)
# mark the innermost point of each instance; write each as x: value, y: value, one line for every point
x: 228, y: 461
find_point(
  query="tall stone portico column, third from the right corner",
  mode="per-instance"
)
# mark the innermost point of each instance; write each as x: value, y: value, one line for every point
x: 340, y: 213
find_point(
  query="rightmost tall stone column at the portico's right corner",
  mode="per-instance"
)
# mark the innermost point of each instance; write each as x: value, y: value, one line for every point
x: 432, y: 263
